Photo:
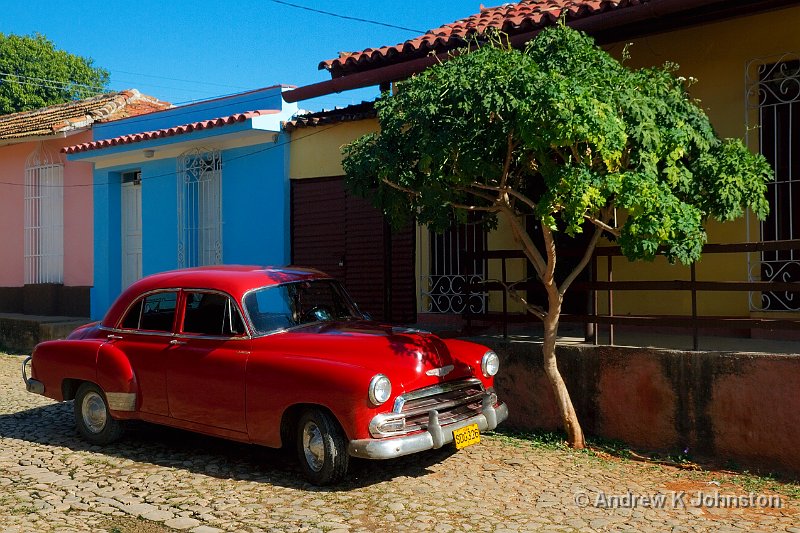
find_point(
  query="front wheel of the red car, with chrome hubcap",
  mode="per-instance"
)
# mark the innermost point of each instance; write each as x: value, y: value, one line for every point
x: 321, y: 447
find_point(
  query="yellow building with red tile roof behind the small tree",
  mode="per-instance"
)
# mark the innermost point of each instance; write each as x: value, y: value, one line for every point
x: 746, y: 59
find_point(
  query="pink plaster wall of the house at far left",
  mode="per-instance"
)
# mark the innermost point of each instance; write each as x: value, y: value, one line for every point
x: 78, y: 216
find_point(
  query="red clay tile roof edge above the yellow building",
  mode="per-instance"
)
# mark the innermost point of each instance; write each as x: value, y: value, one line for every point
x: 520, y: 17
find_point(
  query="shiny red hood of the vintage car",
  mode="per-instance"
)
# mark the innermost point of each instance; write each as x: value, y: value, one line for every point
x: 410, y: 358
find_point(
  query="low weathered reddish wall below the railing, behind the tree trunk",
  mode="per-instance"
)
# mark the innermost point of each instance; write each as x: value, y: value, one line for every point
x: 738, y: 407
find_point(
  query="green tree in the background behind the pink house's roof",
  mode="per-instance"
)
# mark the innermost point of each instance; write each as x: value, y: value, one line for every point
x: 34, y: 74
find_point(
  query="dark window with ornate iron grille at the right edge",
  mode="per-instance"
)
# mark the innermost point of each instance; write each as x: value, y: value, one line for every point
x: 773, y: 101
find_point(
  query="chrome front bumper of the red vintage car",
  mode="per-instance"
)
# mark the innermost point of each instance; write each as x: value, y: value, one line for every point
x: 435, y: 436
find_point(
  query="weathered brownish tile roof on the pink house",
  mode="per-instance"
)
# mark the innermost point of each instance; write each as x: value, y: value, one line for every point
x: 79, y: 114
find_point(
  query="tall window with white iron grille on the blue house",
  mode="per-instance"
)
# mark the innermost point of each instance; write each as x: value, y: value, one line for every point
x: 199, y: 208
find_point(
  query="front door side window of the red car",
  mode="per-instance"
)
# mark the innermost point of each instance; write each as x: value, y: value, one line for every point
x: 211, y: 314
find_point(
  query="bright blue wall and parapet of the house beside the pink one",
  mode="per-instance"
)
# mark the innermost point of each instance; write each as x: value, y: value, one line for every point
x: 255, y: 185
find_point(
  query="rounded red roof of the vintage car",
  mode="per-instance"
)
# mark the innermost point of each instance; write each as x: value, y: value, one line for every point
x: 235, y: 280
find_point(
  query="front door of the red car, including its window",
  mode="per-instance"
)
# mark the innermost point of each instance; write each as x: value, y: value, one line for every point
x: 206, y: 362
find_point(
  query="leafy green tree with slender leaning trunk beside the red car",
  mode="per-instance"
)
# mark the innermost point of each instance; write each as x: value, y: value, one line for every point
x: 563, y: 132
